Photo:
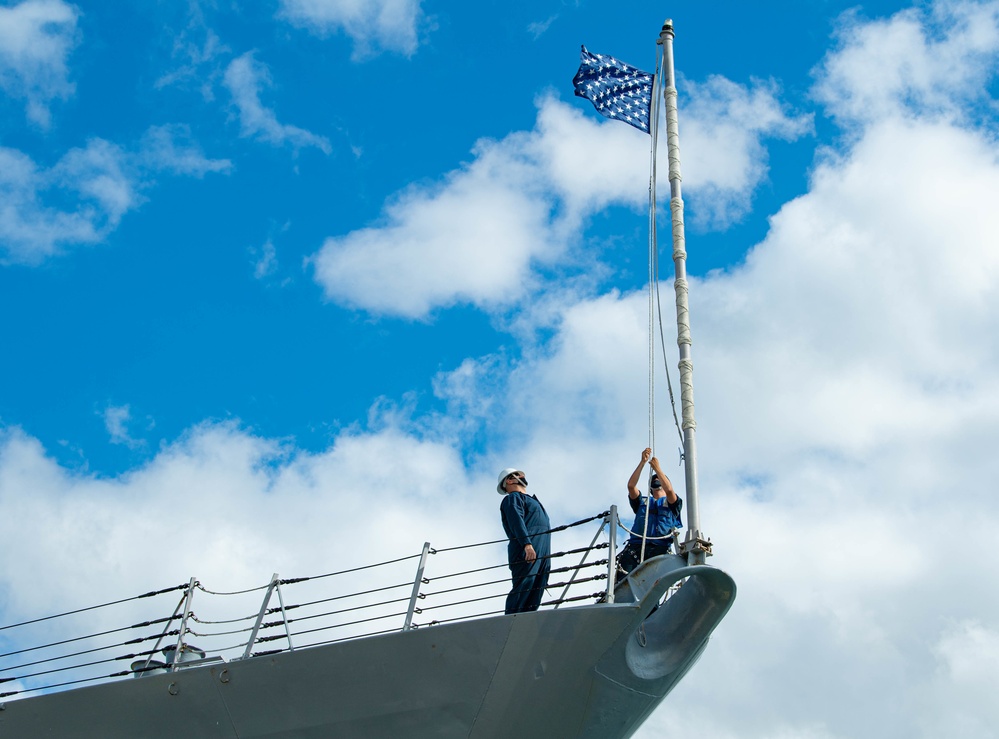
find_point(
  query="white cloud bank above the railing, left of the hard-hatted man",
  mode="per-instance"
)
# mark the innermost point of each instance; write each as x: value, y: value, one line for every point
x: 233, y: 506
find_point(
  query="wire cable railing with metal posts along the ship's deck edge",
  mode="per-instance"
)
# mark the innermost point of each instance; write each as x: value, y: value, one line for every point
x: 451, y: 584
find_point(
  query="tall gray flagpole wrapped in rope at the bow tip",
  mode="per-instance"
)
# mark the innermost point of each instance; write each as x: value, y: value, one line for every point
x: 694, y: 546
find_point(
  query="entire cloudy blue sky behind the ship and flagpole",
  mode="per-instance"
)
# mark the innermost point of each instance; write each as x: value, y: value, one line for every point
x: 279, y: 265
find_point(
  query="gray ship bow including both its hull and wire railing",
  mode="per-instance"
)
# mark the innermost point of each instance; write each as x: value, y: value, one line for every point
x: 451, y: 666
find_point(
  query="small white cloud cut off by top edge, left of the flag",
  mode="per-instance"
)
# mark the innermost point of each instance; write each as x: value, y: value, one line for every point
x: 372, y: 24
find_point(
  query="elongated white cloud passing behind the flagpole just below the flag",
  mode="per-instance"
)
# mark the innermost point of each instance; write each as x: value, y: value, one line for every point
x: 478, y: 236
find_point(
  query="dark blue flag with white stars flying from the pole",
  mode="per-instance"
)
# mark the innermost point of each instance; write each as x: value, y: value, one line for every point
x: 617, y: 90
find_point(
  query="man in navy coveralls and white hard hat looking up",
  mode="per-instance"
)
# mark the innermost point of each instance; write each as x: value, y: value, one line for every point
x: 527, y: 526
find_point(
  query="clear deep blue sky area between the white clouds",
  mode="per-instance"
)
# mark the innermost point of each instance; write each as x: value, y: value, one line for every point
x: 195, y: 299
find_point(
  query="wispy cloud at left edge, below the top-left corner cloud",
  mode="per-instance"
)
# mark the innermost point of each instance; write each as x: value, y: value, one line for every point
x: 83, y: 196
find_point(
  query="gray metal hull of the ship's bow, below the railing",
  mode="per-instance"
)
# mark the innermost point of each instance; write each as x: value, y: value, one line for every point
x: 591, y: 671
